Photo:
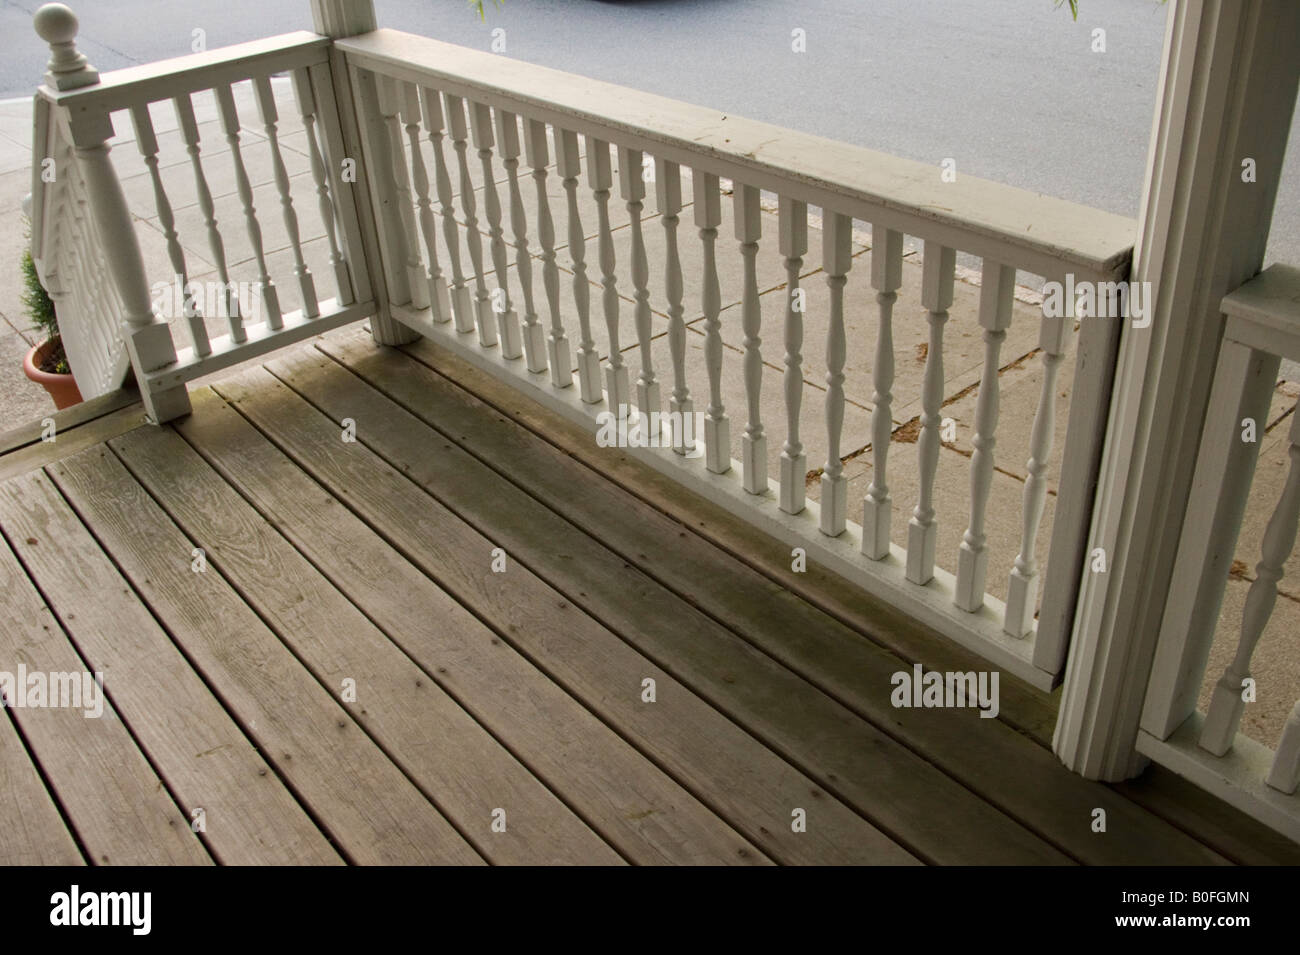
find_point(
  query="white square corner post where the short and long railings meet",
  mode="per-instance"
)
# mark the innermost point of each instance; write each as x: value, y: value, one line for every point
x: 339, y: 19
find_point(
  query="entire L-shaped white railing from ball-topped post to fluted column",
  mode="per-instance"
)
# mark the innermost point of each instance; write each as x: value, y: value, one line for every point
x: 417, y: 108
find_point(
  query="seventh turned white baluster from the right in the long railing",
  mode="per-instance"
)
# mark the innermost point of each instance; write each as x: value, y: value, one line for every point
x: 749, y: 228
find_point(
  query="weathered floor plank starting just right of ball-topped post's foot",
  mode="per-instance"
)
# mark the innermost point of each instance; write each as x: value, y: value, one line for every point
x: 625, y: 797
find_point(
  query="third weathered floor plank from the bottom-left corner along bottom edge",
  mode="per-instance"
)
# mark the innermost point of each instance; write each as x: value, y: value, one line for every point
x: 249, y: 817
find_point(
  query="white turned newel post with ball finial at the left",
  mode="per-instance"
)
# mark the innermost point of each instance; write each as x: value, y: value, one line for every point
x: 148, y: 337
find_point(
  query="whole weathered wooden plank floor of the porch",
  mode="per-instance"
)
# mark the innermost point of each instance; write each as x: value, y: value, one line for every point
x: 345, y: 678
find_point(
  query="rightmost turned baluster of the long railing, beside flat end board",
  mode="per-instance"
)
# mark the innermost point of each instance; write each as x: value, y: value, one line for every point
x: 1022, y: 585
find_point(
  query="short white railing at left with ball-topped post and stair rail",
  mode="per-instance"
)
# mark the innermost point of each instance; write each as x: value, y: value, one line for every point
x: 103, y: 322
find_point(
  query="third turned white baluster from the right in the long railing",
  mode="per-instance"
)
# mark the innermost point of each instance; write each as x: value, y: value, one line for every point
x: 937, y: 297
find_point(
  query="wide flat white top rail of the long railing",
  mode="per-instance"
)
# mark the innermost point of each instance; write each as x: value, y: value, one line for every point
x: 1029, y: 231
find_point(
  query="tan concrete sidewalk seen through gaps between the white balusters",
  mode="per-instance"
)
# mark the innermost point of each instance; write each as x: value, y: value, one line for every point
x: 1021, y: 375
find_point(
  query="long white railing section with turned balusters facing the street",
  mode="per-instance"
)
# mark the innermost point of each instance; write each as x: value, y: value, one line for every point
x: 456, y: 99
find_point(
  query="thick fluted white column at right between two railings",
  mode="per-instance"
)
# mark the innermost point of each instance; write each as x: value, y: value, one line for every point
x: 1228, y: 95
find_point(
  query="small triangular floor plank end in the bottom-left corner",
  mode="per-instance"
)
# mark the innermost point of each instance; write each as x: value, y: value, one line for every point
x: 32, y: 831
